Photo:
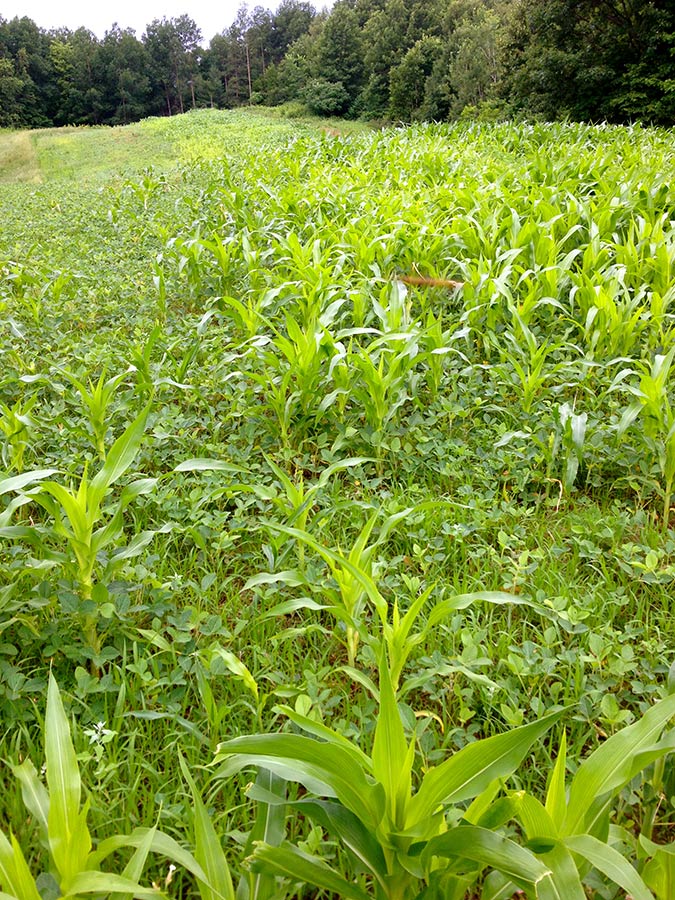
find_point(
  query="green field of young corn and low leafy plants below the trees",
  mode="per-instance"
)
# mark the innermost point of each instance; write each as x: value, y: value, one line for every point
x: 268, y: 472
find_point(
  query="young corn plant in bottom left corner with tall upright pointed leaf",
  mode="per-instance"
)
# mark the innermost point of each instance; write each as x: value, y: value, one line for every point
x: 73, y: 863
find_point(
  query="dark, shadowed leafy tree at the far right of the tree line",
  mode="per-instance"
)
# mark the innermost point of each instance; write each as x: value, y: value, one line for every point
x: 593, y: 61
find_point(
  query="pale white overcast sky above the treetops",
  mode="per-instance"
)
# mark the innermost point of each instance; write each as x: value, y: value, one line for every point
x: 212, y: 16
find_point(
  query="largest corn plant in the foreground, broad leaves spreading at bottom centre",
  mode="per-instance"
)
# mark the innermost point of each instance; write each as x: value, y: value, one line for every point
x: 397, y: 837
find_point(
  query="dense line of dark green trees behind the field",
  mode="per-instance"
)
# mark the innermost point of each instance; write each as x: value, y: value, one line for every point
x: 392, y: 60
